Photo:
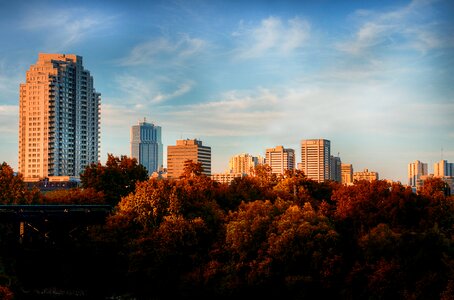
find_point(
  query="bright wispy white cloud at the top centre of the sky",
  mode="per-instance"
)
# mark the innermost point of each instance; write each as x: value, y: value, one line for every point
x: 272, y: 35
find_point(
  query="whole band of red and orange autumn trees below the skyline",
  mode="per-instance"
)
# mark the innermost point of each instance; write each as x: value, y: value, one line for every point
x: 265, y: 237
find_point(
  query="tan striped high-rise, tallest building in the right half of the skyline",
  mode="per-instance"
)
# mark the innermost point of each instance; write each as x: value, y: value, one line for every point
x: 315, y: 159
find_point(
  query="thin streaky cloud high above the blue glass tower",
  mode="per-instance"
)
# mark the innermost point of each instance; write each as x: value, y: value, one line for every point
x: 156, y: 49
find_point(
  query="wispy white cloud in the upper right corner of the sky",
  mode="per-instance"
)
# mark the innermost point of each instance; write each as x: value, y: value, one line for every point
x: 408, y: 27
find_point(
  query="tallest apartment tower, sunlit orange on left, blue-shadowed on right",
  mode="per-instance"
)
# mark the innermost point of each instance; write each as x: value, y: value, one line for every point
x: 59, y: 118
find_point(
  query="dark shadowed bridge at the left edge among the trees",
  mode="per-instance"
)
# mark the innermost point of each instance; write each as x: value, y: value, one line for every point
x: 49, y: 223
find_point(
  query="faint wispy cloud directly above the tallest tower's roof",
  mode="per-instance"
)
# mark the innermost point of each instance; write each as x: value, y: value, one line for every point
x: 65, y: 28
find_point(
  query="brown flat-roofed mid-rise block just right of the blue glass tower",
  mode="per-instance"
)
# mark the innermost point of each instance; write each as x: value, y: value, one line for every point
x: 187, y: 150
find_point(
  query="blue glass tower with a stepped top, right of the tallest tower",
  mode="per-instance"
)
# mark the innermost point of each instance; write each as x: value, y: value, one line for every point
x: 146, y: 146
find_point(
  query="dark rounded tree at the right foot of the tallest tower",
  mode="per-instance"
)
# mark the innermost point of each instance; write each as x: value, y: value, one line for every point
x: 116, y: 179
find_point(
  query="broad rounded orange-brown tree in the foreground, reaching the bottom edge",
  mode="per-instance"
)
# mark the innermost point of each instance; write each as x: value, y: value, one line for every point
x: 277, y: 249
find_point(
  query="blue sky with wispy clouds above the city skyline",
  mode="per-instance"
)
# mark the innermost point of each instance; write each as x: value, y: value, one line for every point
x: 376, y: 78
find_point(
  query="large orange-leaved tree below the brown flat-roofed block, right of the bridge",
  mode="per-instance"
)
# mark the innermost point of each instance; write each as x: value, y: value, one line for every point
x: 167, y: 227
